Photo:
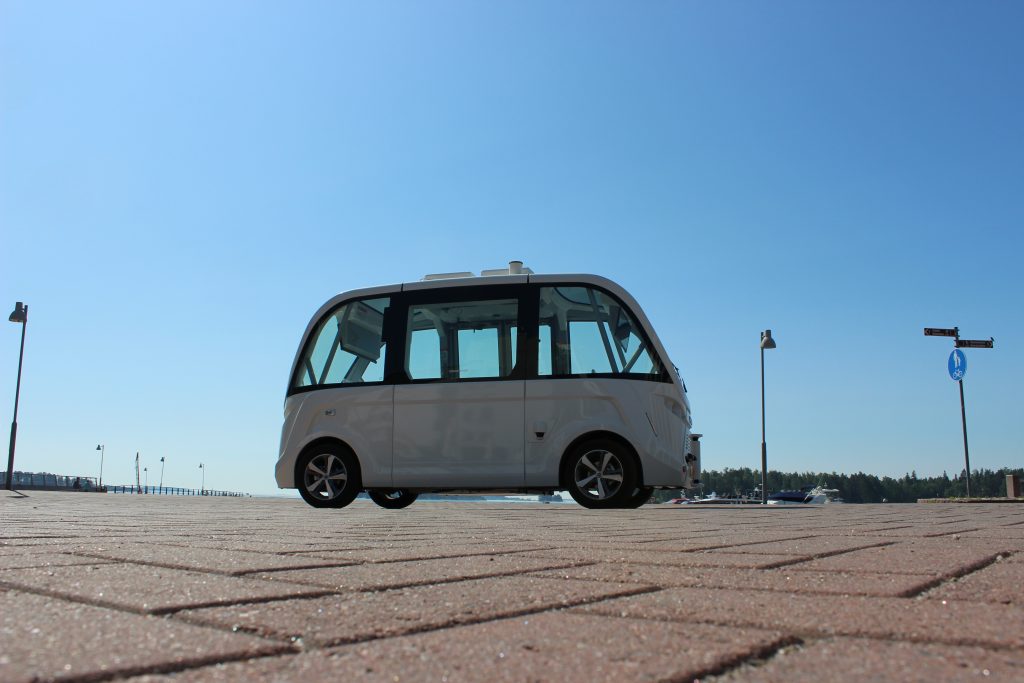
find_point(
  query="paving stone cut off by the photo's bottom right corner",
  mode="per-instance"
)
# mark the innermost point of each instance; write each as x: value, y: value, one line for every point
x: 857, y: 660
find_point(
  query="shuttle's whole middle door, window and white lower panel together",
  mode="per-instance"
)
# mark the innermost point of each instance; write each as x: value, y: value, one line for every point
x: 459, y: 408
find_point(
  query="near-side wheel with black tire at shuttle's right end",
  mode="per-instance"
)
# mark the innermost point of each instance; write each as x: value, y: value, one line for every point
x: 602, y: 474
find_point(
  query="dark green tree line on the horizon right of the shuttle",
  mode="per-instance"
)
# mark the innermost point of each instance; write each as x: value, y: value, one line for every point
x: 858, y: 488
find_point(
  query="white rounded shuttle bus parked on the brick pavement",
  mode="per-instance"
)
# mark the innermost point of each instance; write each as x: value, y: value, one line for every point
x: 508, y: 382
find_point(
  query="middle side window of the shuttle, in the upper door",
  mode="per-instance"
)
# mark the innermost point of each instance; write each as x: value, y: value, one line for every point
x: 462, y: 339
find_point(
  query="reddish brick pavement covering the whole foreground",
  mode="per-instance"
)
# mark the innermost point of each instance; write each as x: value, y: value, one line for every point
x: 98, y: 588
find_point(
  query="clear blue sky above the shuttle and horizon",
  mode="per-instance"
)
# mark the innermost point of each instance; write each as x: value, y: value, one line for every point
x: 183, y: 185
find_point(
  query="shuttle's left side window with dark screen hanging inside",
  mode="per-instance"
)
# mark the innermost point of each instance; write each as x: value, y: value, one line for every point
x: 347, y: 348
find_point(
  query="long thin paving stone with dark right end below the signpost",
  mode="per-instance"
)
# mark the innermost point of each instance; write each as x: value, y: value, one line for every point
x: 783, y: 580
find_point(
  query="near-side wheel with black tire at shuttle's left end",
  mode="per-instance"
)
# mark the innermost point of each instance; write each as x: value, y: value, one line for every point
x: 328, y: 477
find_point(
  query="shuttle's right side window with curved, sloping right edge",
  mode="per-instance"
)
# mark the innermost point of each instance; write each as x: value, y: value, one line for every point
x: 584, y: 331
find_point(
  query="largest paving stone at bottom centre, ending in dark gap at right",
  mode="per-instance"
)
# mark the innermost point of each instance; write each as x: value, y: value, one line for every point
x: 537, y: 648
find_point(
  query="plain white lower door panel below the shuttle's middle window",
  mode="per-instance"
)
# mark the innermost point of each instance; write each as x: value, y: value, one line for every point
x: 459, y: 435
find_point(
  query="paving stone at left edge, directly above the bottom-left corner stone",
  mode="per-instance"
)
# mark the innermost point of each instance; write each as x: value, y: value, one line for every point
x: 148, y: 589
